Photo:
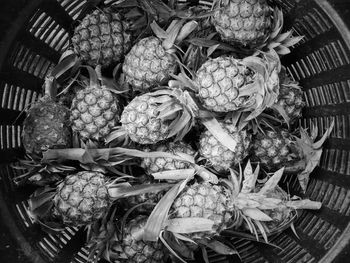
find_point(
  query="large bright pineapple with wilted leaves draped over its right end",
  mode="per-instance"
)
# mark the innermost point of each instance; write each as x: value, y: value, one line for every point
x: 226, y: 84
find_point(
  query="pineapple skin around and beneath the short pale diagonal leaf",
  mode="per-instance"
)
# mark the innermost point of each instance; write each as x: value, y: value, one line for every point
x: 218, y: 155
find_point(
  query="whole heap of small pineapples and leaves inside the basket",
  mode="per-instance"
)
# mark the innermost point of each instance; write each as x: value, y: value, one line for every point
x: 166, y: 128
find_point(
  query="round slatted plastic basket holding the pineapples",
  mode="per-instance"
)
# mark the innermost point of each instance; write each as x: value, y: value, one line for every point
x: 34, y: 32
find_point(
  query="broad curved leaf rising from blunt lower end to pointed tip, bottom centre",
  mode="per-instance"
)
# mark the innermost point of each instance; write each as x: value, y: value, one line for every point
x: 156, y: 220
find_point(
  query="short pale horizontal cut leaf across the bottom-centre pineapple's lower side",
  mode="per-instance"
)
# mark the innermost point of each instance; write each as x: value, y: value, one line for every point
x: 189, y: 225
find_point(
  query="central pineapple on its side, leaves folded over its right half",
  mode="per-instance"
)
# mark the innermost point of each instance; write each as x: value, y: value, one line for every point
x: 156, y: 116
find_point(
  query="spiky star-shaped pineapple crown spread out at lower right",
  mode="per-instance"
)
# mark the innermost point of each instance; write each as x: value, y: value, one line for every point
x: 251, y: 200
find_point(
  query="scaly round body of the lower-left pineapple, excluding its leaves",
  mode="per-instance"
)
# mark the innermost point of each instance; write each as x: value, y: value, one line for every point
x: 82, y: 198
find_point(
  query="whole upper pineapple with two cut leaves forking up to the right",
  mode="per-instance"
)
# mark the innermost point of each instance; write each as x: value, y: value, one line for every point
x: 152, y: 60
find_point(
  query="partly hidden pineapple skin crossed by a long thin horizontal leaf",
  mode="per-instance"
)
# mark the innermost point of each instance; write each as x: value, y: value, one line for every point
x: 155, y: 165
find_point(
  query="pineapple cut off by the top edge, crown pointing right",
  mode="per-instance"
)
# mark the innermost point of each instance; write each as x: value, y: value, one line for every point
x: 252, y: 24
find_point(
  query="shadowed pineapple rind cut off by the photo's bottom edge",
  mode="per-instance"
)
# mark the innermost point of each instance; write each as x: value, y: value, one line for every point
x: 134, y: 250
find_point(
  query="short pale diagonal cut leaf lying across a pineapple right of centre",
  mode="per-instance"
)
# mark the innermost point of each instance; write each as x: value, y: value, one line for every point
x: 219, y: 133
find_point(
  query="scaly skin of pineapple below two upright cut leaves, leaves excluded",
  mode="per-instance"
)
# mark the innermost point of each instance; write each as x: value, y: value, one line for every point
x: 148, y: 64
